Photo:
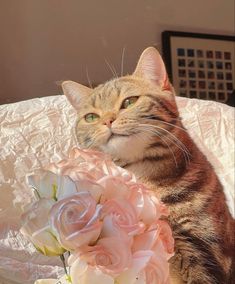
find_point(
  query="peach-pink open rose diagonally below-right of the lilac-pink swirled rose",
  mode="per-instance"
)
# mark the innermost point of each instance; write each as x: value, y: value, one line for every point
x: 111, y: 255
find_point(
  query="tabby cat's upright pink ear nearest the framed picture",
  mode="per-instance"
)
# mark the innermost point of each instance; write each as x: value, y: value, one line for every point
x: 151, y: 67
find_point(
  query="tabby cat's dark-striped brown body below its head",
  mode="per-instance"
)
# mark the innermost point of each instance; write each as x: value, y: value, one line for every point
x: 199, y: 217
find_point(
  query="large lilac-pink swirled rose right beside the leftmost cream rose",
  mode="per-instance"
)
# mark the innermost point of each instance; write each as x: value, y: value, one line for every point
x: 75, y: 220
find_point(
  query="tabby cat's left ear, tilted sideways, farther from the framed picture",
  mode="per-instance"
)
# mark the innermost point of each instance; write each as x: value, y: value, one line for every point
x: 75, y: 92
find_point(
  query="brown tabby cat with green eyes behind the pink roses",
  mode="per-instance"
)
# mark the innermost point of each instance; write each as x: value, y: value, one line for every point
x: 135, y: 119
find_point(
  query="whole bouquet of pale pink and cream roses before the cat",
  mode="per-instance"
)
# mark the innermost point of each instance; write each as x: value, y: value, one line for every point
x: 106, y: 227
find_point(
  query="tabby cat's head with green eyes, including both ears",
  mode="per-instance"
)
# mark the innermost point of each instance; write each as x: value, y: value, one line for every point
x: 121, y: 117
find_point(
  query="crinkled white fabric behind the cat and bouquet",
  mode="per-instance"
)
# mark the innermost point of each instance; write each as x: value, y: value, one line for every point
x: 36, y: 132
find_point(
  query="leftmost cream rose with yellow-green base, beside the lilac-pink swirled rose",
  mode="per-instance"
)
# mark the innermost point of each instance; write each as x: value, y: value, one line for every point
x: 36, y: 228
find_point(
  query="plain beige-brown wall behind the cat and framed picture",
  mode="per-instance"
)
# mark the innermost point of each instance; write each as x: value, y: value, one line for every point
x: 44, y: 41
